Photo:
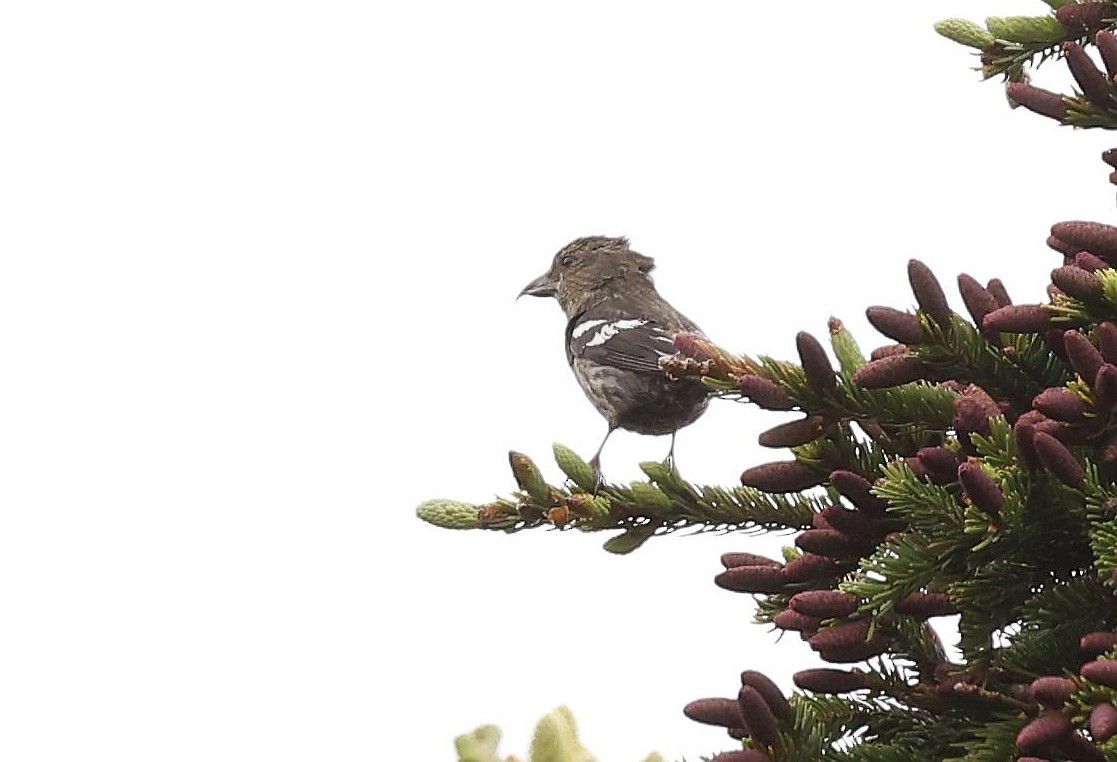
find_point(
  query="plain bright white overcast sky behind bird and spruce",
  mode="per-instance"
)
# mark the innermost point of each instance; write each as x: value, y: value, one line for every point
x: 257, y: 303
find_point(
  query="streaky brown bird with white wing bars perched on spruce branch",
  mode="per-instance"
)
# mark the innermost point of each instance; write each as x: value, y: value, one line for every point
x: 618, y: 327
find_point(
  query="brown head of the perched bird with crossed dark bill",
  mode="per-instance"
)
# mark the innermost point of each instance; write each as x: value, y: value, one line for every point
x: 593, y: 269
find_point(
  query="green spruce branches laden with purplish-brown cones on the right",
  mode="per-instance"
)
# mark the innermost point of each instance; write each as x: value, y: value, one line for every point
x: 967, y: 470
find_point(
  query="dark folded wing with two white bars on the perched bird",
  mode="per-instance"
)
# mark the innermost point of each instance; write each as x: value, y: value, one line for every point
x: 633, y: 345
